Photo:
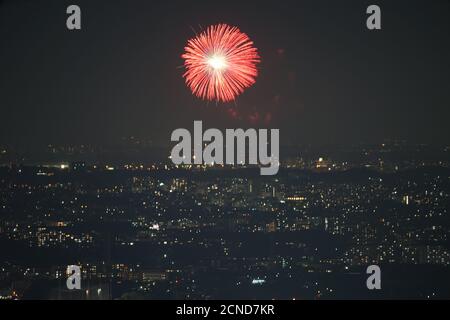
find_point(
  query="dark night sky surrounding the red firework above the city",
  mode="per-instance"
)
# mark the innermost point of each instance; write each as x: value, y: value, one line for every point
x: 324, y: 78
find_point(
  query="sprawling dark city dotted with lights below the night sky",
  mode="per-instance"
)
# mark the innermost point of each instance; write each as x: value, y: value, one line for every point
x: 213, y: 232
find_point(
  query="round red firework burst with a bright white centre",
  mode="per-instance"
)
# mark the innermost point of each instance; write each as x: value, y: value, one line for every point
x: 220, y: 63
